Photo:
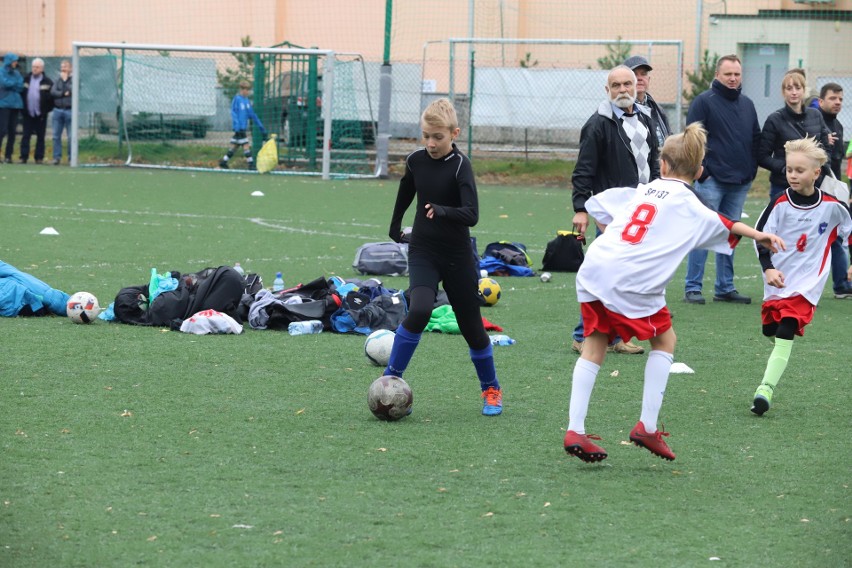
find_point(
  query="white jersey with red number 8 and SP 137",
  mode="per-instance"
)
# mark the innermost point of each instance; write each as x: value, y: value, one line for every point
x: 650, y: 230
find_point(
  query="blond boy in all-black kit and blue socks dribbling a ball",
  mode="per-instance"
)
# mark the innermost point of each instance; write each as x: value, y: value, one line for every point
x: 441, y: 178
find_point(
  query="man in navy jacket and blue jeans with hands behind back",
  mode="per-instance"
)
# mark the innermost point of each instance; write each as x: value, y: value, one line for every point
x: 730, y: 165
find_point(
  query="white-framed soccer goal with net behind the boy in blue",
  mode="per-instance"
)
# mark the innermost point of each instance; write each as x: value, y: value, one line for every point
x: 169, y: 106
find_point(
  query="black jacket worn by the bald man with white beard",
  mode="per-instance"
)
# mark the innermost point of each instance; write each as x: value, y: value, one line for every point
x: 605, y: 159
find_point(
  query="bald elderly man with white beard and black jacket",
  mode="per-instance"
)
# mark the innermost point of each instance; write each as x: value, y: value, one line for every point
x: 618, y: 148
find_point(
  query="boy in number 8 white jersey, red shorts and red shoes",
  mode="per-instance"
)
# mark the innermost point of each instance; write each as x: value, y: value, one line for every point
x: 648, y: 231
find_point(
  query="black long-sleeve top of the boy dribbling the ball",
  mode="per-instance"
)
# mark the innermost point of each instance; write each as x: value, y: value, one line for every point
x: 449, y: 186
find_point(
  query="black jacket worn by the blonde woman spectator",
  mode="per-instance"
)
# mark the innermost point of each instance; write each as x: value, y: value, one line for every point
x: 781, y: 126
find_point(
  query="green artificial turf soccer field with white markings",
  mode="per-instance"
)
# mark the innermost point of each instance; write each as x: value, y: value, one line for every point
x: 126, y: 445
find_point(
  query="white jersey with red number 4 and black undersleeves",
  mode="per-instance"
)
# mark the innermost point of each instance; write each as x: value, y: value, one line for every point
x: 808, y: 224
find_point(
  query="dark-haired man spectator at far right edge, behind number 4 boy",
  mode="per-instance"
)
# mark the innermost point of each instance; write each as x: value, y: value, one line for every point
x: 830, y: 105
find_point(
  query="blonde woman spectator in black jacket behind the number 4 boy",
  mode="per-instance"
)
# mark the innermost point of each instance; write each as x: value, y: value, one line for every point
x: 791, y: 122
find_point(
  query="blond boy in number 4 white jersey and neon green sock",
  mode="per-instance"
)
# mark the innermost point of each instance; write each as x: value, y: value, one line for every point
x: 794, y: 279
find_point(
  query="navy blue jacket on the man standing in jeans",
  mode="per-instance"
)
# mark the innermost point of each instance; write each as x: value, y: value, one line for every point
x: 733, y: 133
